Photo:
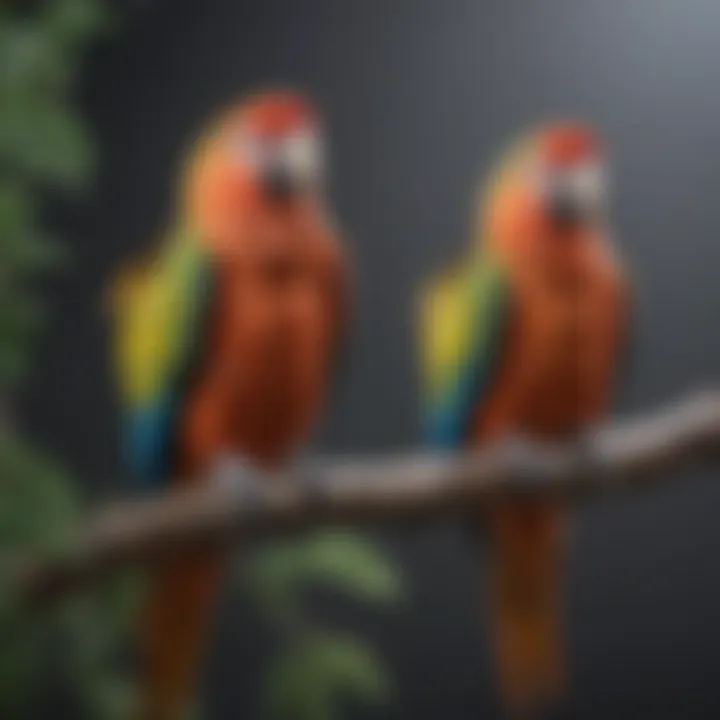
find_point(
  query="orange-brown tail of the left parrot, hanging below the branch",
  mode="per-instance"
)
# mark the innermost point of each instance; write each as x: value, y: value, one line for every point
x: 175, y: 627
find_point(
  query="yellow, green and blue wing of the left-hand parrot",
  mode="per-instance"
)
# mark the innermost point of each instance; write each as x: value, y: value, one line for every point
x: 161, y: 312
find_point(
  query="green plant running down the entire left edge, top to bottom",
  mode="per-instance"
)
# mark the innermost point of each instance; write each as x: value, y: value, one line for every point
x: 45, y: 151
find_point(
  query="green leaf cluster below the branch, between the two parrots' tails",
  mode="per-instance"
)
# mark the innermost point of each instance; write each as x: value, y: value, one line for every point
x: 317, y: 670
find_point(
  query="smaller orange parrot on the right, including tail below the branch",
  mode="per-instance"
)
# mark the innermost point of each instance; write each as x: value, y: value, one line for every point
x: 521, y: 340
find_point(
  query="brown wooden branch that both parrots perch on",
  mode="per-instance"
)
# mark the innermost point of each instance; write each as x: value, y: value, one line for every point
x: 411, y: 488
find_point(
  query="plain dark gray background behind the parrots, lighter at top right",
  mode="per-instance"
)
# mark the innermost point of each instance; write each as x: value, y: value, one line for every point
x: 420, y: 94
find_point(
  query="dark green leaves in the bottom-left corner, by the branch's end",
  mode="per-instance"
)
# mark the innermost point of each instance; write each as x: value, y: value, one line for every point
x: 77, y: 643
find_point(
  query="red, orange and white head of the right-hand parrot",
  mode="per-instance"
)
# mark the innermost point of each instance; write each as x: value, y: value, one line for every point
x: 549, y: 194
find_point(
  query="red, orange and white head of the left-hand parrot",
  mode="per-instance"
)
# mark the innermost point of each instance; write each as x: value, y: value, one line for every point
x: 266, y: 154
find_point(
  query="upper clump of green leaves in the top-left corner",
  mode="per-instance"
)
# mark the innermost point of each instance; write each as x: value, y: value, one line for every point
x: 44, y: 147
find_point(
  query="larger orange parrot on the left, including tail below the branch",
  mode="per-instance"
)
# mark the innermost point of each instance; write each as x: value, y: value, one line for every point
x: 226, y: 338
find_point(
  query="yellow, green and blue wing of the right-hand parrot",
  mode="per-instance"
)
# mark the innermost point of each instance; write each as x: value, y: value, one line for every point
x: 464, y: 321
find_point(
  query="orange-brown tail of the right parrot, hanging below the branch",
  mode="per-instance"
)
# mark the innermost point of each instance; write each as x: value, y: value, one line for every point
x: 527, y: 581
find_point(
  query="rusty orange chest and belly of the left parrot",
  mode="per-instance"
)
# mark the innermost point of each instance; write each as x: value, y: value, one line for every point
x: 270, y: 352
